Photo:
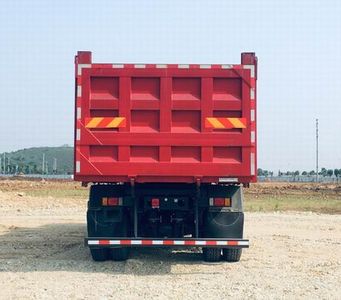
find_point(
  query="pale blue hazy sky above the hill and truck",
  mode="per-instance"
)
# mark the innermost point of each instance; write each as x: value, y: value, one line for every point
x: 298, y: 44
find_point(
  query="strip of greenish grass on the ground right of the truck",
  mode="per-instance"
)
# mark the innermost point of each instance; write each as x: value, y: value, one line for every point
x: 331, y: 205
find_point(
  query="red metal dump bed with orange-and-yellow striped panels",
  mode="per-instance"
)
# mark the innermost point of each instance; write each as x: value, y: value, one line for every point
x: 165, y: 122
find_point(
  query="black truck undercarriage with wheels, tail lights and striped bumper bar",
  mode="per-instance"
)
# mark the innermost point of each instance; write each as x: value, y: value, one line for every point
x: 121, y: 216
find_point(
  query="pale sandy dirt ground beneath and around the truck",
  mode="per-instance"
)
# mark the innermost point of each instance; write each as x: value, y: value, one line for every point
x: 42, y: 254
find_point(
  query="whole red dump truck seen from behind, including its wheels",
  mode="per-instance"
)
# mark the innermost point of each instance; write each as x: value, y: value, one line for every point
x: 167, y: 149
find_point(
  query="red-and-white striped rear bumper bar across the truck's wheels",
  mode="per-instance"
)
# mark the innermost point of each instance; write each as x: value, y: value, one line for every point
x: 94, y: 242
